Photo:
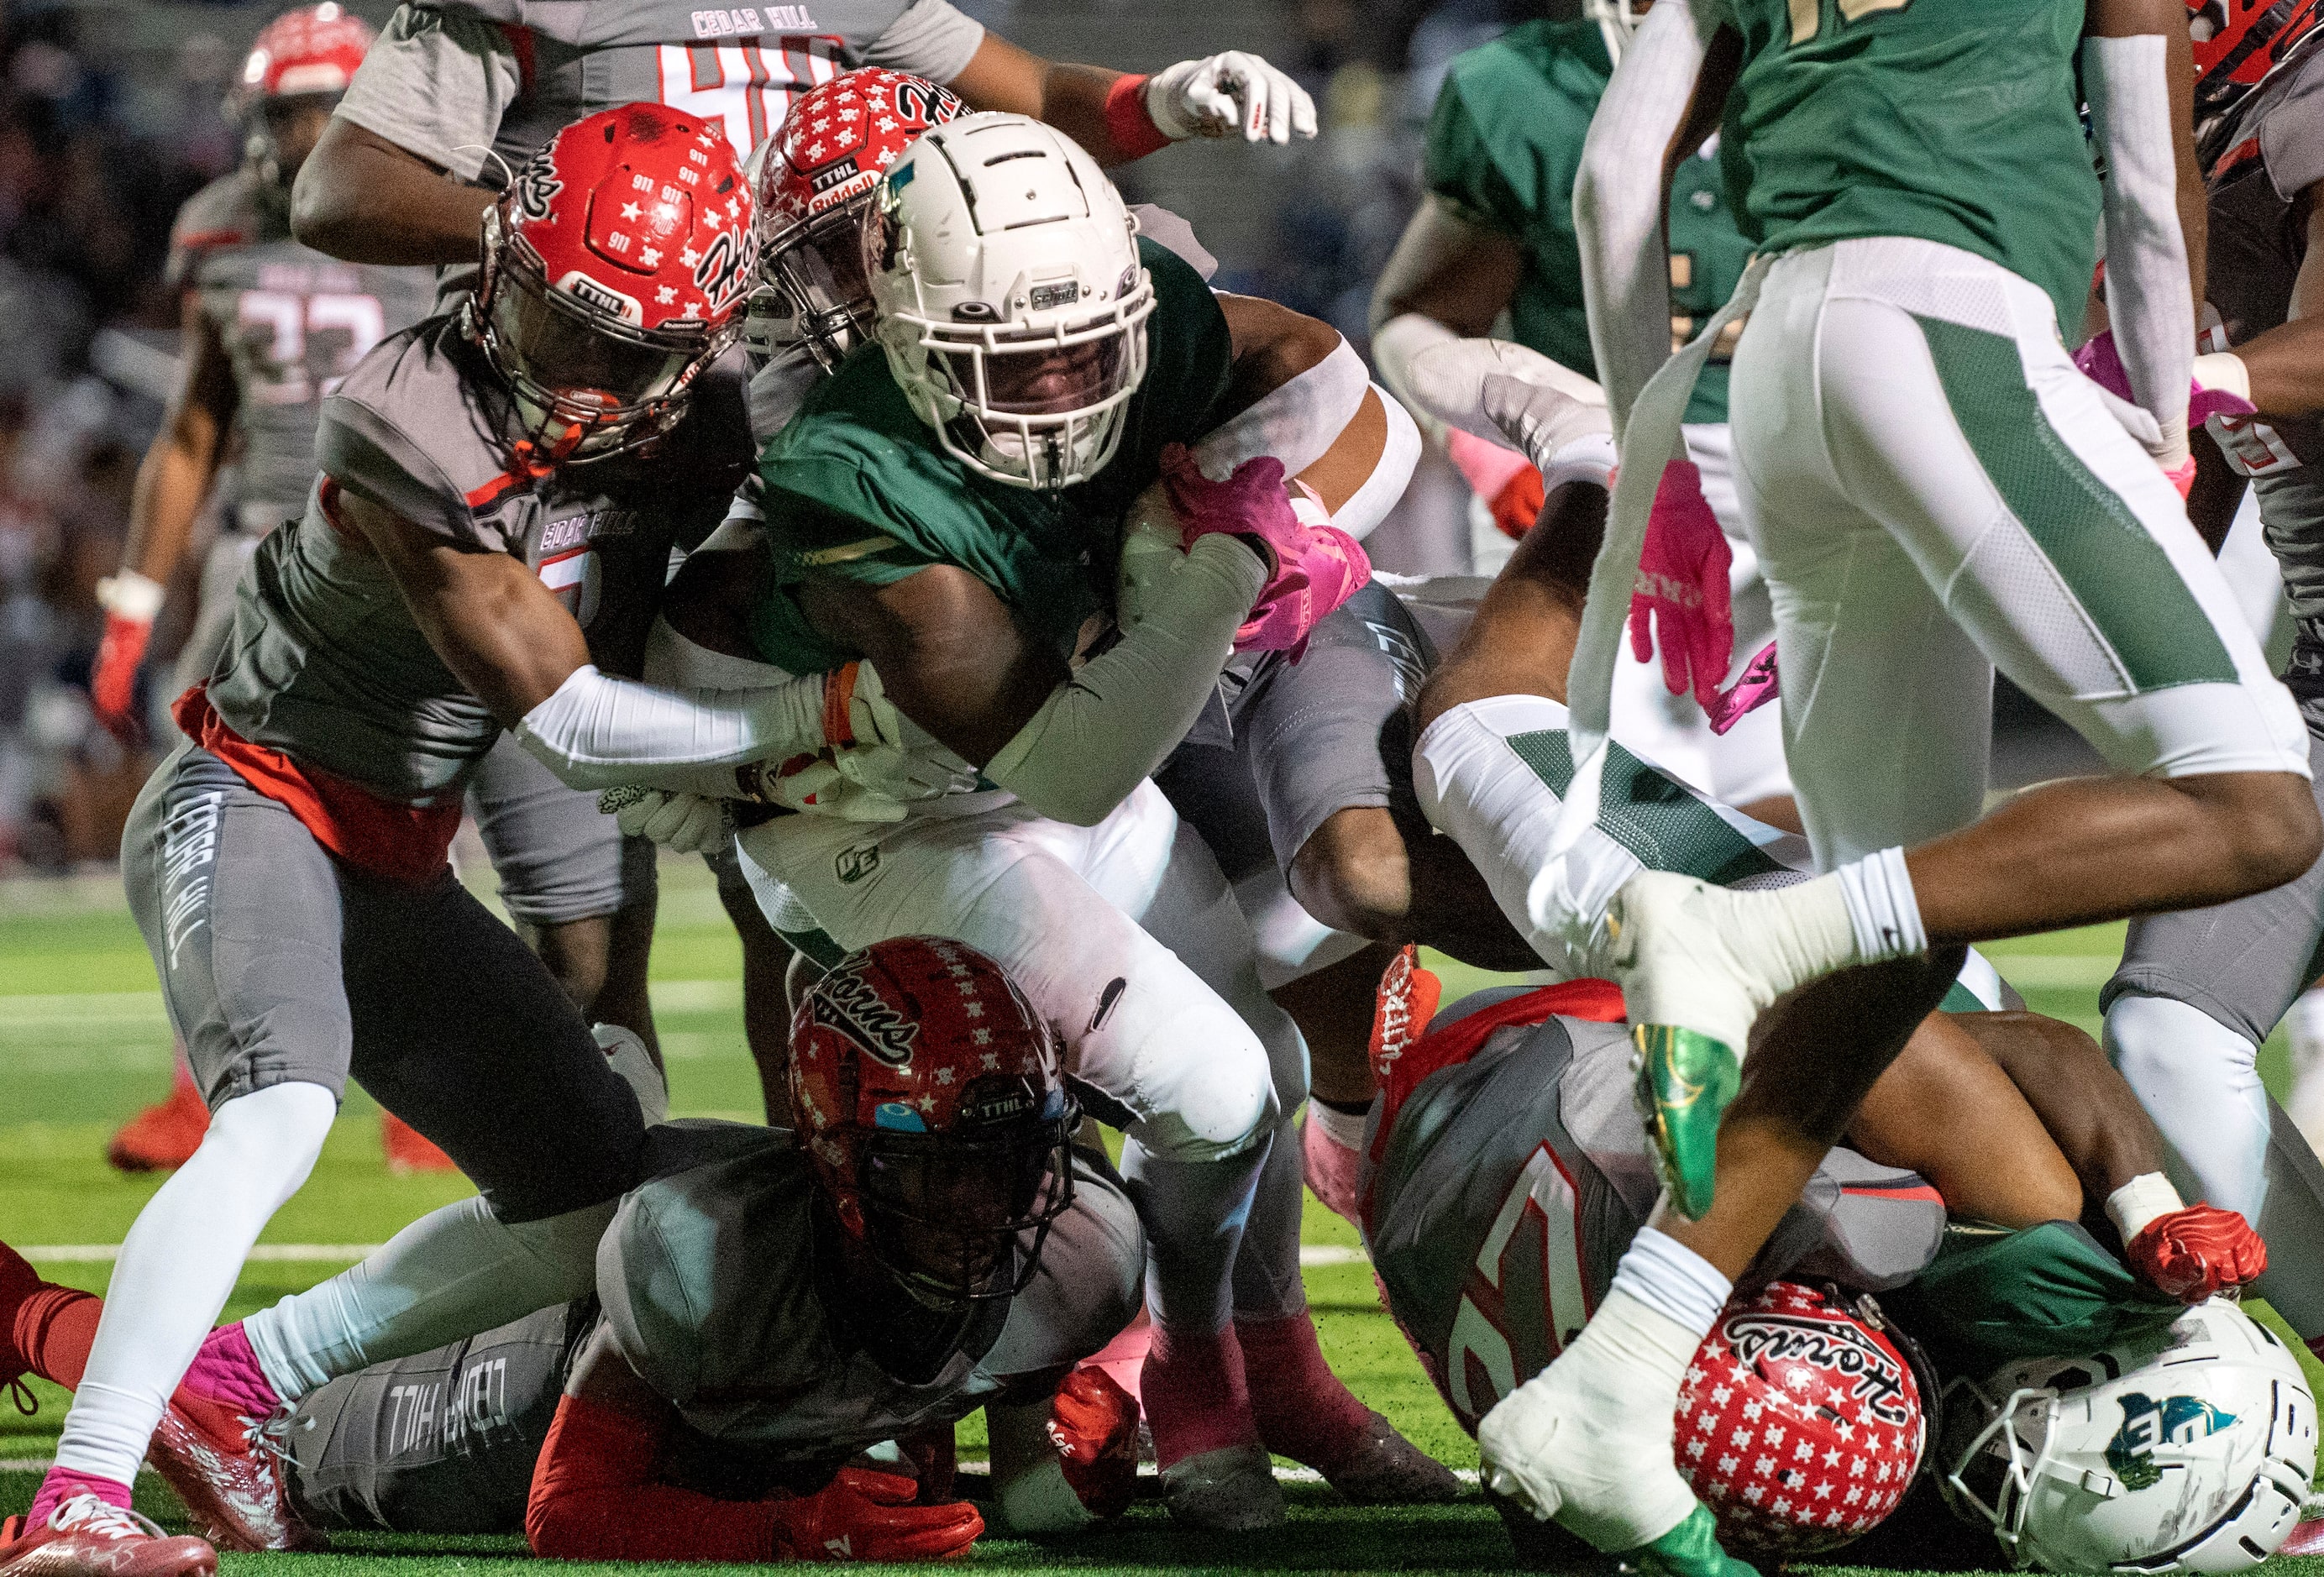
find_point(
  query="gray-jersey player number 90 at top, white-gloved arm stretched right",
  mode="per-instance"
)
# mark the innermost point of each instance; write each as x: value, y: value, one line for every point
x: 461, y: 80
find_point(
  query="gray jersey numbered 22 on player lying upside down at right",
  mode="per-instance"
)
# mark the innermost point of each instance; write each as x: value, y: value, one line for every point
x: 1512, y: 1183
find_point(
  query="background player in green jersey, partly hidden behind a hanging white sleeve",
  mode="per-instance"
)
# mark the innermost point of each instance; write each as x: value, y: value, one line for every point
x: 1495, y: 233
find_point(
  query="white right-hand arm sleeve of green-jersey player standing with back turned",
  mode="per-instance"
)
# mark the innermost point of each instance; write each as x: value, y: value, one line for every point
x: 2149, y: 294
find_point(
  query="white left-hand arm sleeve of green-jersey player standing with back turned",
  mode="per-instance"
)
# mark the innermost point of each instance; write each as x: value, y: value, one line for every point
x: 1619, y: 201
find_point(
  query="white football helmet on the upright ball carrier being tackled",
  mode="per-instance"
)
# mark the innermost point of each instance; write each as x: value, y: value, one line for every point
x: 1010, y: 296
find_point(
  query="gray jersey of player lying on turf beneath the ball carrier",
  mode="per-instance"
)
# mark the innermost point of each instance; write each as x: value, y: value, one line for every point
x: 710, y: 1288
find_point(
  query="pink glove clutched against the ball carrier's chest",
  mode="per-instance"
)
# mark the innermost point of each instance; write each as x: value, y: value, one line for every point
x: 1317, y: 563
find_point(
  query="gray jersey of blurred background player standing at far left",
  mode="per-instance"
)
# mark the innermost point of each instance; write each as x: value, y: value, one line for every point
x: 292, y: 322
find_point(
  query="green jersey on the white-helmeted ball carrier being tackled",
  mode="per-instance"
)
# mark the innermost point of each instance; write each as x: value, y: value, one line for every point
x: 859, y: 489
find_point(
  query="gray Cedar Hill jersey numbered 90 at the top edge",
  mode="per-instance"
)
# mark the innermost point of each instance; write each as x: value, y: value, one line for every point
x: 459, y: 78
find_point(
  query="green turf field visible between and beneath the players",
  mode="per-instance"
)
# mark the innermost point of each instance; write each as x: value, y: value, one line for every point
x: 85, y: 1044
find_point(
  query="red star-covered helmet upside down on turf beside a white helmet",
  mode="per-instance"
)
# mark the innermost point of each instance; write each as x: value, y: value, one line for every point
x: 1800, y: 1423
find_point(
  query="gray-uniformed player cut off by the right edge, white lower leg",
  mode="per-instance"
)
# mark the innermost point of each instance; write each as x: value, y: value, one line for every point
x: 2200, y: 991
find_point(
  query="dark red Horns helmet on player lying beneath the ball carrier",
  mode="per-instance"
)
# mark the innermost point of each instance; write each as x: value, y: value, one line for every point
x: 935, y: 1114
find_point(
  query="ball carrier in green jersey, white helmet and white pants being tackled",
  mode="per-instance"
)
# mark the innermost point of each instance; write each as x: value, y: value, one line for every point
x: 949, y: 507
